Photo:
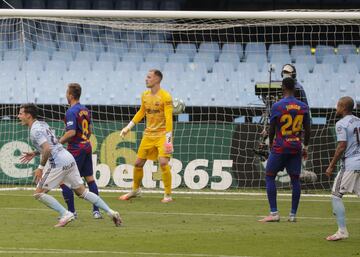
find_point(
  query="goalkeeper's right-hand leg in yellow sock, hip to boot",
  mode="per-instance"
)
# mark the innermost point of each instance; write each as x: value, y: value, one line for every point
x: 164, y: 159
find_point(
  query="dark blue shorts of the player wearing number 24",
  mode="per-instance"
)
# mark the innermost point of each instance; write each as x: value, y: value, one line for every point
x: 278, y: 161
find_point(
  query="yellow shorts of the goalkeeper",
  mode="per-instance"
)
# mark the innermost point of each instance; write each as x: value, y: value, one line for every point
x: 151, y: 148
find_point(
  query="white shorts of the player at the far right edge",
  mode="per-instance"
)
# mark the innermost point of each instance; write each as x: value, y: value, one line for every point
x: 346, y: 182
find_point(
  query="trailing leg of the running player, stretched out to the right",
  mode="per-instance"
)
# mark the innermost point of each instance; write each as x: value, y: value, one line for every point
x: 73, y: 178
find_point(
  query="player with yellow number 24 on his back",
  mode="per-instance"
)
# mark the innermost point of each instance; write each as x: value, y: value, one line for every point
x: 289, y: 117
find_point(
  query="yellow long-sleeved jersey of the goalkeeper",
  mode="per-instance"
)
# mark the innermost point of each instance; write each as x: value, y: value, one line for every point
x: 158, y: 111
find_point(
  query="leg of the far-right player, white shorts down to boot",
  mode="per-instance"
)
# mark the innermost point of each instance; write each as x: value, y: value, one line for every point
x: 345, y: 182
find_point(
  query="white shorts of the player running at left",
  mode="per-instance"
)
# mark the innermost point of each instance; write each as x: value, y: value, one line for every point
x: 52, y: 177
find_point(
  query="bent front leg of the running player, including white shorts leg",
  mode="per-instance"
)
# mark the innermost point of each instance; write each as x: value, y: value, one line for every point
x: 51, y: 179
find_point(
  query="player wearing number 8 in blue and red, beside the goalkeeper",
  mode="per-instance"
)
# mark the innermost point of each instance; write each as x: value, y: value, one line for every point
x: 77, y: 135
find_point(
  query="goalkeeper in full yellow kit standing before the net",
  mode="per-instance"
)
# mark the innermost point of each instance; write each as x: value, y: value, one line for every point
x: 156, y: 105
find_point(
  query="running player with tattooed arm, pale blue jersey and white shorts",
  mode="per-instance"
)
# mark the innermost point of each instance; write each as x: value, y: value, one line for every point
x: 61, y: 168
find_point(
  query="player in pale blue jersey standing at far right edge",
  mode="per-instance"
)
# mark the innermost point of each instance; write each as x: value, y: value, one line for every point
x: 348, y: 149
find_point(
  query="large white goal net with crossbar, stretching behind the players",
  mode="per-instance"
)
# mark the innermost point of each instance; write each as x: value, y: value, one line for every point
x: 211, y: 61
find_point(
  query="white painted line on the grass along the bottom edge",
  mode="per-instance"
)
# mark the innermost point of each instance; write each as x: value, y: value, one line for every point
x: 74, y: 251
